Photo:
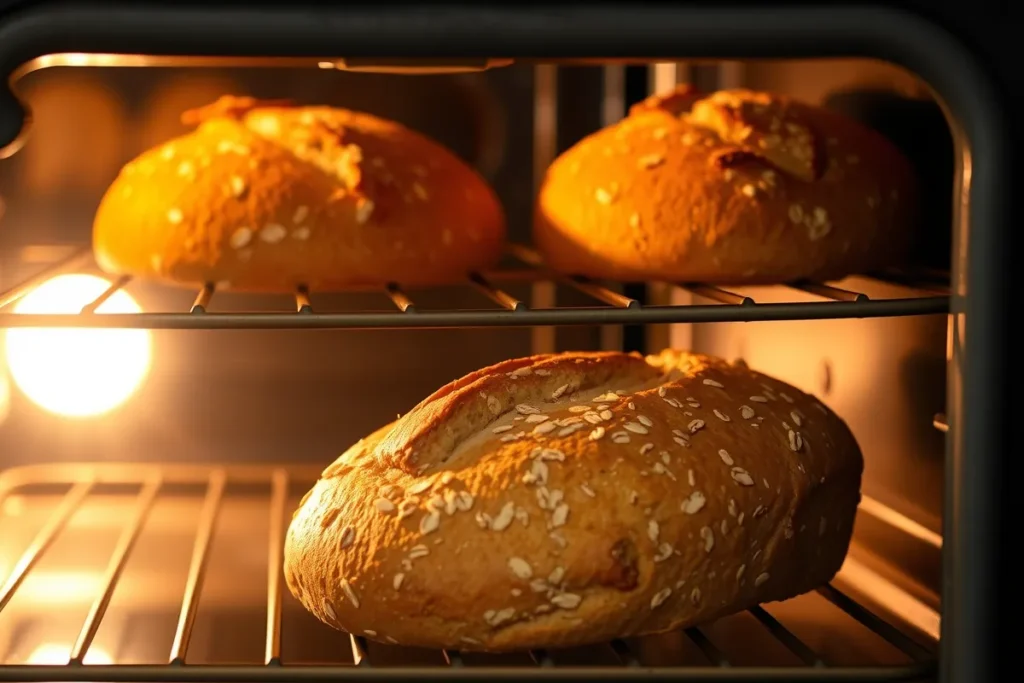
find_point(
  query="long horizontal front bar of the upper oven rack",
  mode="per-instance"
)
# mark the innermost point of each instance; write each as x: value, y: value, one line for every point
x: 818, y: 311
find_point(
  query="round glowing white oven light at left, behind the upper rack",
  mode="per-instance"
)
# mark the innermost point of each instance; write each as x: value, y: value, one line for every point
x: 77, y: 372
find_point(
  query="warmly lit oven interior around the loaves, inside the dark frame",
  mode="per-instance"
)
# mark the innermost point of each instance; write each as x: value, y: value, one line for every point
x: 150, y: 535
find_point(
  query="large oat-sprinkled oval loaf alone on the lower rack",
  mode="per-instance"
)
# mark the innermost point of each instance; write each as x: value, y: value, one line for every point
x: 562, y: 500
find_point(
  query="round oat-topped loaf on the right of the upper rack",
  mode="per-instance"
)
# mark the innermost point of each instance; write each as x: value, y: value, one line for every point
x: 736, y: 188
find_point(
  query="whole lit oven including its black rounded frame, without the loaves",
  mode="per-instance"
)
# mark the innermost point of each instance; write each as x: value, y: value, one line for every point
x: 154, y: 442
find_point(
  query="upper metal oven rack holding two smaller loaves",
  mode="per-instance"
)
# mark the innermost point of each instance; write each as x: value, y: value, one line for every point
x: 921, y: 293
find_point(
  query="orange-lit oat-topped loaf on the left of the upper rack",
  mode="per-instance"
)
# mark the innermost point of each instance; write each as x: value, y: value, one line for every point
x: 267, y: 197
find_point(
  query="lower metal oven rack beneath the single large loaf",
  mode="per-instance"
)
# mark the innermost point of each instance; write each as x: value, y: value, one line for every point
x: 73, y: 485
